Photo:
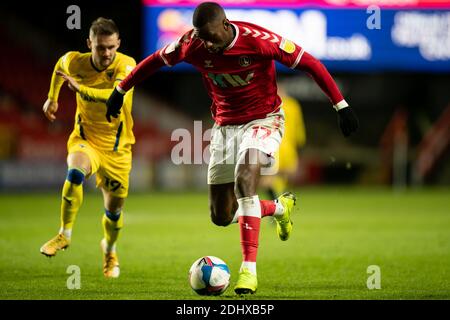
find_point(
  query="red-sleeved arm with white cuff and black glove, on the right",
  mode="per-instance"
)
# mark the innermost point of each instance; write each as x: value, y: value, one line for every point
x: 347, y: 119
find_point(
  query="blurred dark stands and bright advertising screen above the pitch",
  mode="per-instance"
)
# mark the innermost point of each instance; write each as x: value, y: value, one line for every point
x: 396, y: 77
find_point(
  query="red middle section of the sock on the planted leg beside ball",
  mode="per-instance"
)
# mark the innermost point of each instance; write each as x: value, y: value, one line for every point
x: 249, y: 227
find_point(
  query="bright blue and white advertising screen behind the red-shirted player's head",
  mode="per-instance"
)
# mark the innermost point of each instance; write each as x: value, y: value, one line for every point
x: 347, y: 35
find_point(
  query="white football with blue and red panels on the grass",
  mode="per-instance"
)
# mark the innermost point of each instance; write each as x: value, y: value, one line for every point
x: 209, y: 276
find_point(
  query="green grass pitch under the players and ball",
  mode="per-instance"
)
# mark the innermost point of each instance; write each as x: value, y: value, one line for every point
x: 338, y: 233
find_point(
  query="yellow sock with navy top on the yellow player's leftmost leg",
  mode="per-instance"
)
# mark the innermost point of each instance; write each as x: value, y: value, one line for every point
x: 72, y: 198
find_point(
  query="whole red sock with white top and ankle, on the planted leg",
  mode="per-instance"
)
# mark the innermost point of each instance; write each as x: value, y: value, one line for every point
x: 249, y: 222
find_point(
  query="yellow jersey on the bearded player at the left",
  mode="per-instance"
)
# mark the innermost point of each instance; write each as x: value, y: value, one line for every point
x: 95, y: 89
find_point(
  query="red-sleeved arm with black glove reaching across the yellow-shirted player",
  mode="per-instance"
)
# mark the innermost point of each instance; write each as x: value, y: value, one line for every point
x: 143, y: 70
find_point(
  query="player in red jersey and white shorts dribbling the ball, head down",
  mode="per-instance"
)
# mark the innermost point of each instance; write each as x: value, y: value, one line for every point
x: 237, y: 62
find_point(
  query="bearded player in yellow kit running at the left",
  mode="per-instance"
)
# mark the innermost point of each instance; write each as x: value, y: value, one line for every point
x: 95, y: 146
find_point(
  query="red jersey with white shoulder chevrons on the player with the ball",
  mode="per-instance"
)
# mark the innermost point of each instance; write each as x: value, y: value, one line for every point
x: 241, y: 81
